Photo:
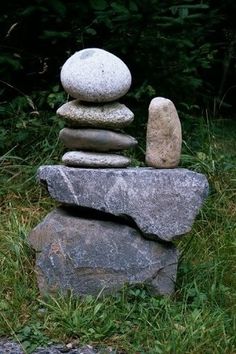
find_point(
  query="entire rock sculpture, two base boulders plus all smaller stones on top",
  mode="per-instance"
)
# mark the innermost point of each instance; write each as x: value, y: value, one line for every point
x: 115, y: 225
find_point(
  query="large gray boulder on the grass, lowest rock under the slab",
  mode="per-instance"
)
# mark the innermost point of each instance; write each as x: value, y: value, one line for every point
x: 90, y: 256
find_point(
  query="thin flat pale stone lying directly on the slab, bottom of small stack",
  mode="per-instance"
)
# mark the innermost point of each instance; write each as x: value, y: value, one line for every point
x: 94, y: 159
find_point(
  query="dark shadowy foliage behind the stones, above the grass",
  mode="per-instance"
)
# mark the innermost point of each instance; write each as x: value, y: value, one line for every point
x: 184, y: 50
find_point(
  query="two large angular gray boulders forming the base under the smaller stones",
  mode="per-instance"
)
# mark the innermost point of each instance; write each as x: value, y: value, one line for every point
x: 115, y: 227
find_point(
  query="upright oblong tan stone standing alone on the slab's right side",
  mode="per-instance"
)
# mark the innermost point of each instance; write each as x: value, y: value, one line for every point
x: 164, y: 137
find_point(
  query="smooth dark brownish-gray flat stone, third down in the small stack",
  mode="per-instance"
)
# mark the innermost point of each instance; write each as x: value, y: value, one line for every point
x: 96, y: 139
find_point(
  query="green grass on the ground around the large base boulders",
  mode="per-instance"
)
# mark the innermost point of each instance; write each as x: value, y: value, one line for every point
x: 198, y: 318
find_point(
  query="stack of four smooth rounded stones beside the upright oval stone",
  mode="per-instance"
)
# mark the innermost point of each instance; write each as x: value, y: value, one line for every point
x: 96, y: 79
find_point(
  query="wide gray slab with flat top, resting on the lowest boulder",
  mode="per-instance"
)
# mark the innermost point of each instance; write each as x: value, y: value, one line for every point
x: 163, y: 203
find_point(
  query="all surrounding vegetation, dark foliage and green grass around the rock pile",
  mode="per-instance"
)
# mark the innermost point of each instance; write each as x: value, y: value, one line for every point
x: 183, y: 50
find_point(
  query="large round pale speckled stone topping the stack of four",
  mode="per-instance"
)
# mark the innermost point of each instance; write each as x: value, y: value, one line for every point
x: 95, y: 75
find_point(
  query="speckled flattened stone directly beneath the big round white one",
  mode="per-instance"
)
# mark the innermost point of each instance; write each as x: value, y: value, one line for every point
x: 110, y: 115
